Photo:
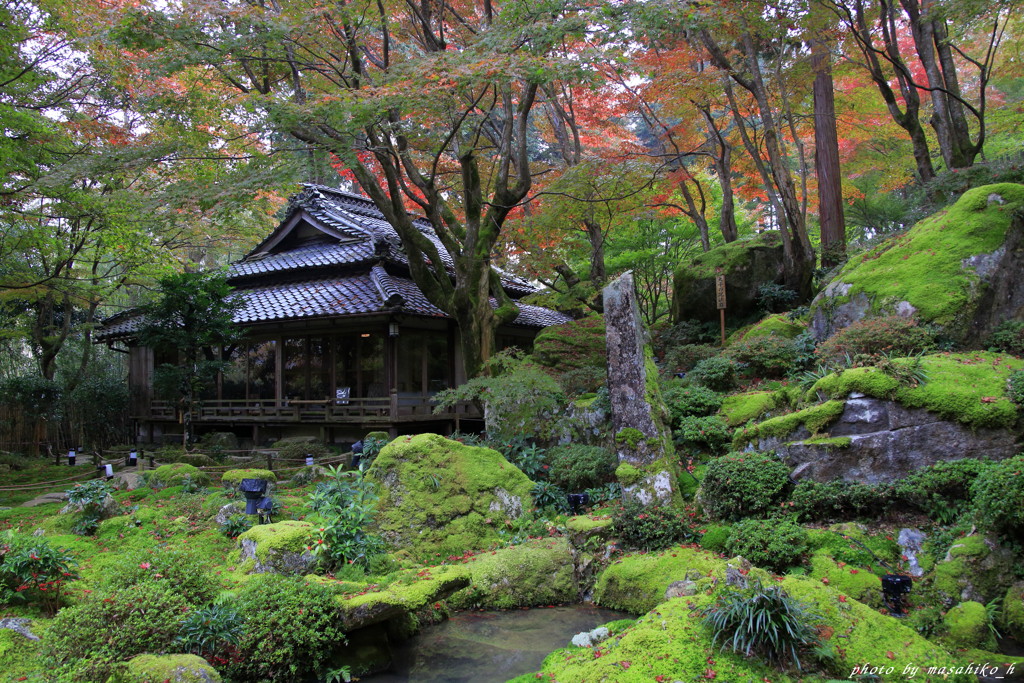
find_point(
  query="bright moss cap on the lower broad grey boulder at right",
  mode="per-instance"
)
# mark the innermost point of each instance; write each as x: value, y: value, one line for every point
x: 969, y: 389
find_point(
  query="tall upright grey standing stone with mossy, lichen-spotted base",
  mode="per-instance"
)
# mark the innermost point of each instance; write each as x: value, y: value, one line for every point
x: 644, y: 443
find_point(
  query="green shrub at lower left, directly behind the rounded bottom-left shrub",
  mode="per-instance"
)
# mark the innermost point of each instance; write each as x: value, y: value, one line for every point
x: 179, y: 570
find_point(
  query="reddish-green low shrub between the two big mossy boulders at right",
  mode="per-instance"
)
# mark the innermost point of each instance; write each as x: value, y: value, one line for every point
x: 892, y: 335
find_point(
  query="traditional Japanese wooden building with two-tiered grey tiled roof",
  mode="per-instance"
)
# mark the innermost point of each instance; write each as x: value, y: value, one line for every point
x: 339, y: 340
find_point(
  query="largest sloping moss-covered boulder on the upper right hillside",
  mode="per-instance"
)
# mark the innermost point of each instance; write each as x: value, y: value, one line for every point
x: 962, y: 269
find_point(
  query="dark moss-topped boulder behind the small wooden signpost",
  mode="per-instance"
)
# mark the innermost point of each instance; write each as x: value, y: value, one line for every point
x: 747, y: 265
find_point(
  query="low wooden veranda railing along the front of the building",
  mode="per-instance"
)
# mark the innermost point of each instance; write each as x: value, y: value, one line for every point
x: 383, y: 409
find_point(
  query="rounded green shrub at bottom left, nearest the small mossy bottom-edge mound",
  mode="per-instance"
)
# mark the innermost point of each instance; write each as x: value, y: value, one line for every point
x: 87, y: 643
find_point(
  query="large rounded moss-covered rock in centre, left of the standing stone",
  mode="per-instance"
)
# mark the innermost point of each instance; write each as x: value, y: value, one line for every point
x: 441, y: 498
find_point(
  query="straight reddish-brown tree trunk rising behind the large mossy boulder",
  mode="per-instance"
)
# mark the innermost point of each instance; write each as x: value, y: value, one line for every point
x: 827, y: 159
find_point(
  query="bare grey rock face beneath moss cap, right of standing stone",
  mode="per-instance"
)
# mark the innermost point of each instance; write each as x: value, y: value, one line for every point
x: 878, y: 441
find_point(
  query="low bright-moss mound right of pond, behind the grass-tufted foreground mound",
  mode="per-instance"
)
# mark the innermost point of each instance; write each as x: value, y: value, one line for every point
x: 637, y: 583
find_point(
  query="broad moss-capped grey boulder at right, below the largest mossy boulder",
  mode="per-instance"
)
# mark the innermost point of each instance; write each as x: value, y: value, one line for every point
x: 877, y: 431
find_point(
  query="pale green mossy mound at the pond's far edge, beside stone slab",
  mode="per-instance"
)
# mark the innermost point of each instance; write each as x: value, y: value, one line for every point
x: 537, y: 573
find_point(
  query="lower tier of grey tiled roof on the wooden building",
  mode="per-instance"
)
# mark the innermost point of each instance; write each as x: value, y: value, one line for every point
x: 376, y: 292
